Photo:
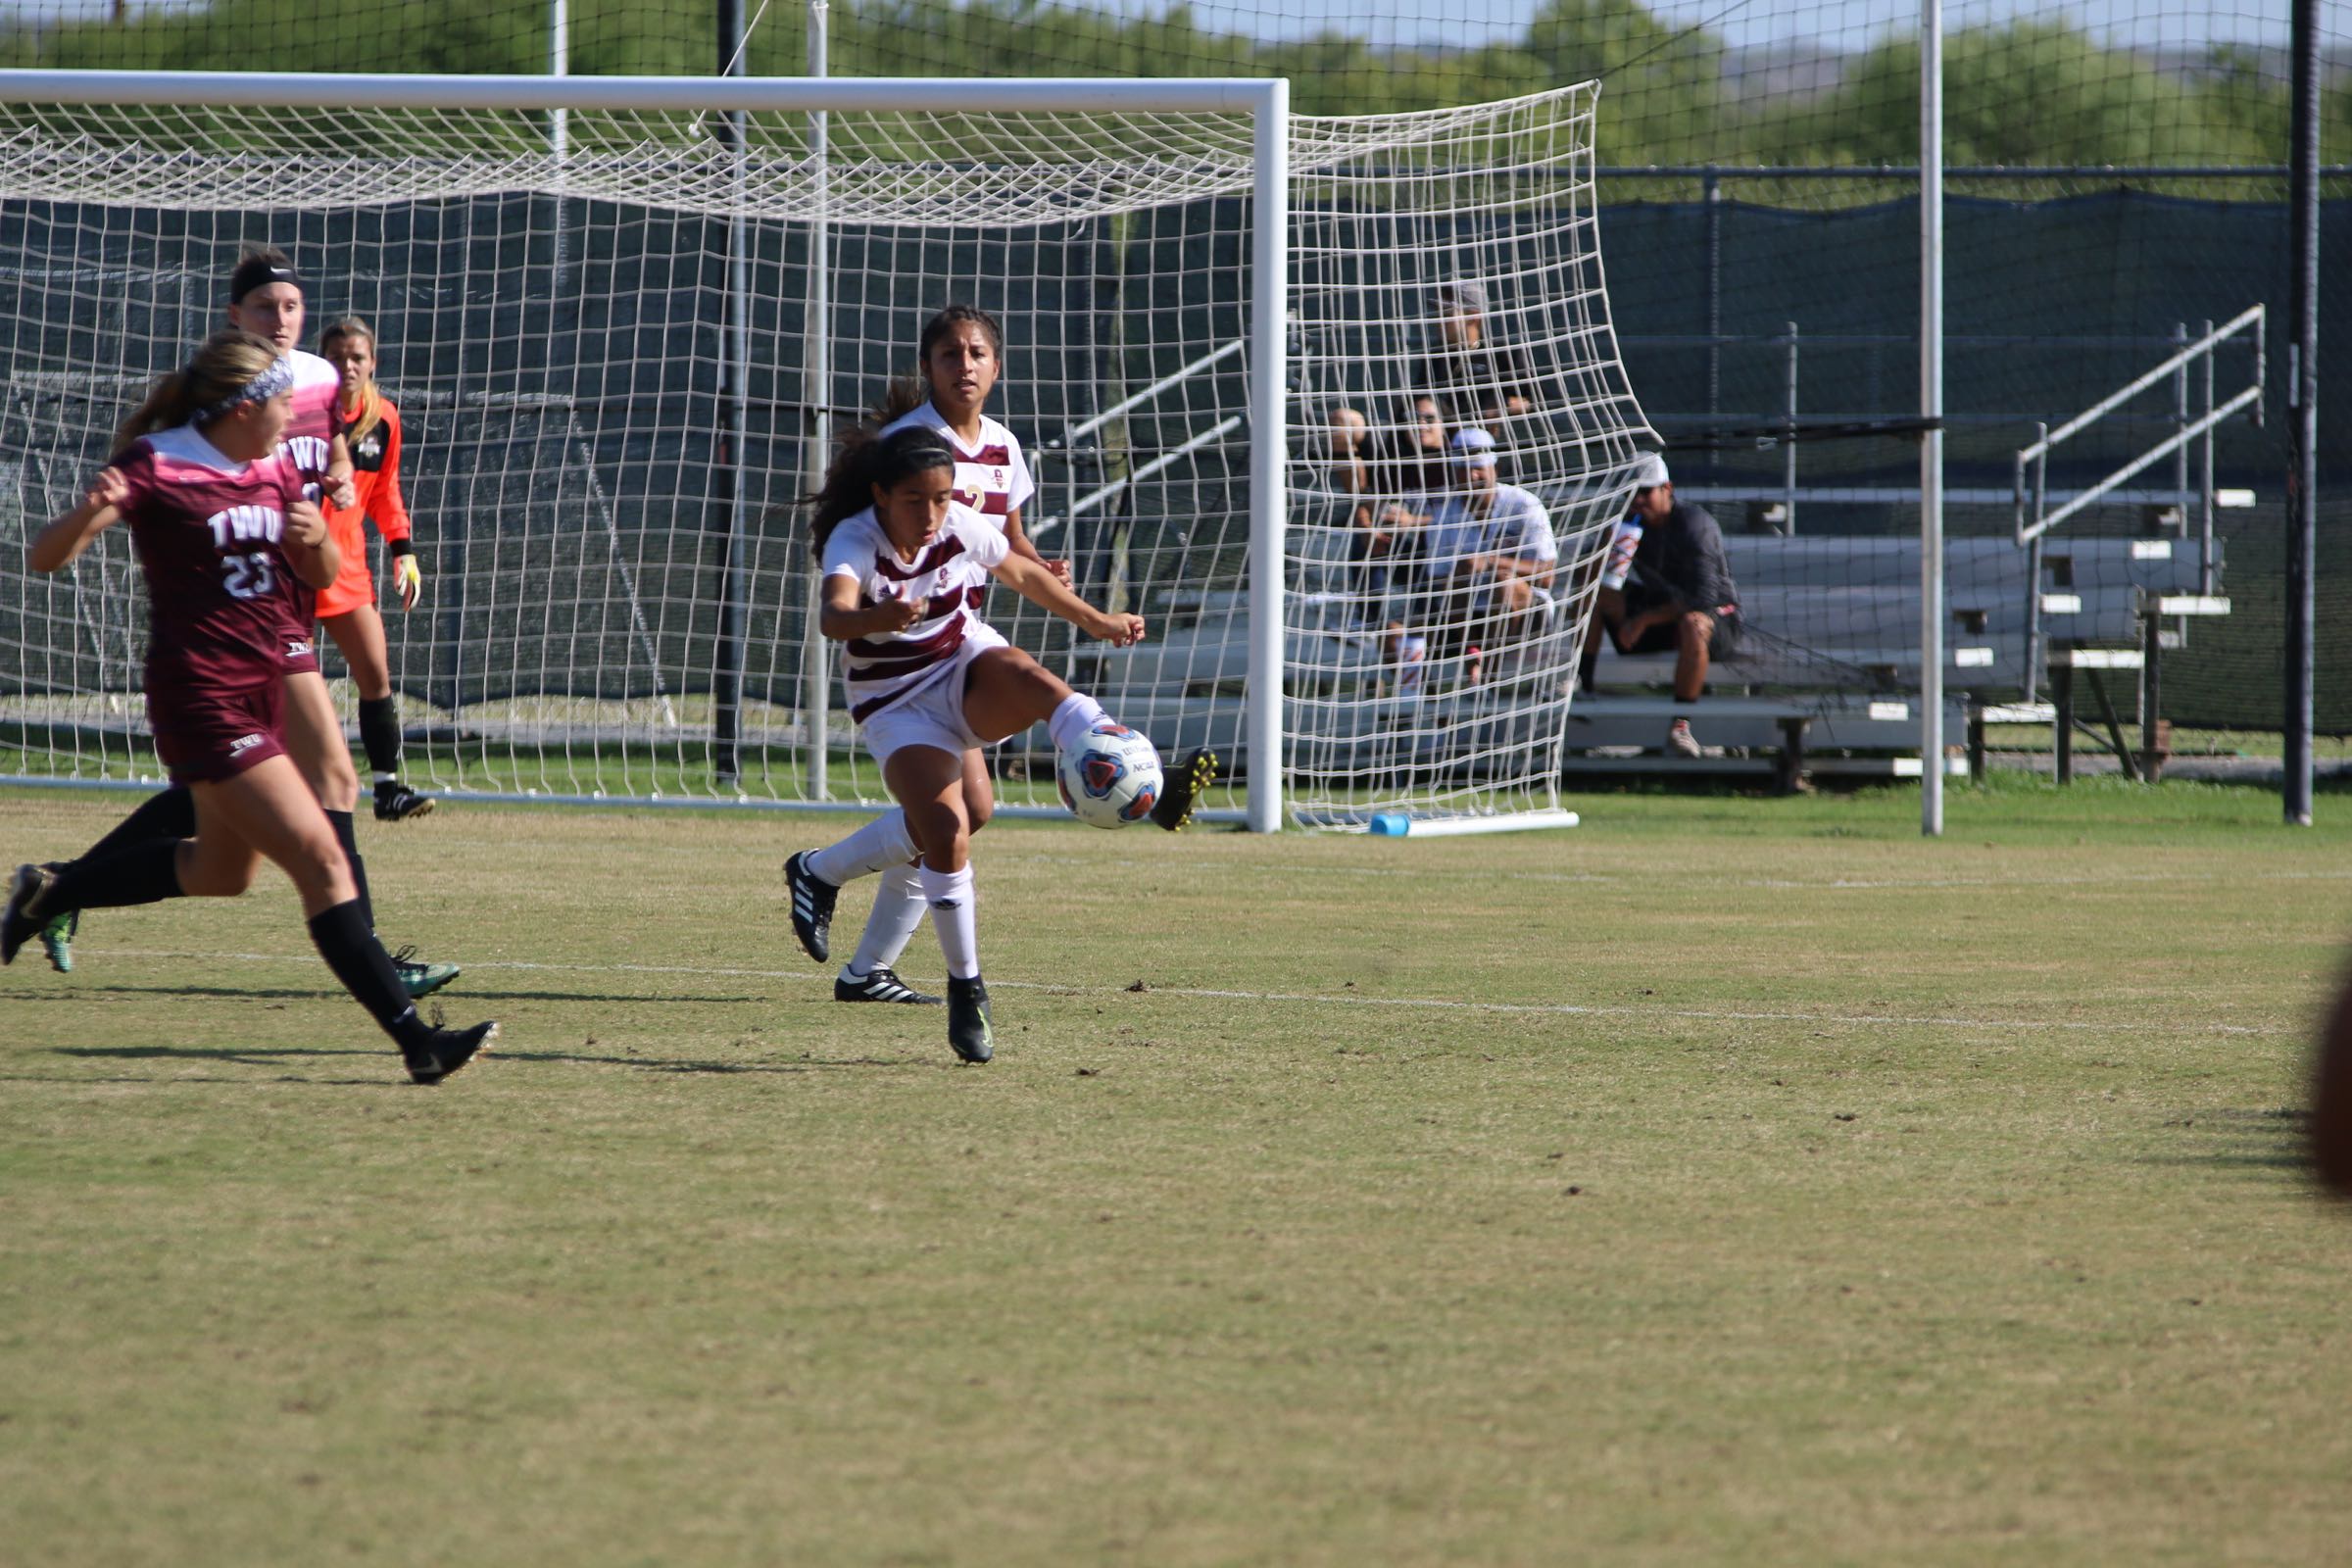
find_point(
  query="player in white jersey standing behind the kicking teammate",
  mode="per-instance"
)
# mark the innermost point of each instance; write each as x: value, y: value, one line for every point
x: 961, y: 359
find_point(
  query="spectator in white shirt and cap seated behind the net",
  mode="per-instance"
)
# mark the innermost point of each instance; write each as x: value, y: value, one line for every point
x: 1488, y: 554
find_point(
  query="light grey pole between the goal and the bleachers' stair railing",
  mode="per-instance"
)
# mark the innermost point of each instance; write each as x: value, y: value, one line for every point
x: 1932, y: 413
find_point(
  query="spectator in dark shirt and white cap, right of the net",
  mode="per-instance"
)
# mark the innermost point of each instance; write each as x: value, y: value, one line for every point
x: 1666, y: 589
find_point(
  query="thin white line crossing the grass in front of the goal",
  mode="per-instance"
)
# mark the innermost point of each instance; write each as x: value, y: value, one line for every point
x: 1436, y: 1005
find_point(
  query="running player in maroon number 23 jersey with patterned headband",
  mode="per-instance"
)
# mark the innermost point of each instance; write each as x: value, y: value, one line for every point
x: 232, y: 547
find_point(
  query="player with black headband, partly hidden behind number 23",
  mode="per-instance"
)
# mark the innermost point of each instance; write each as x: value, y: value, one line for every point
x: 267, y: 300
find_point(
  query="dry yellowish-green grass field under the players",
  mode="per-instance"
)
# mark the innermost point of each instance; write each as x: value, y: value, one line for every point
x: 1720, y: 1181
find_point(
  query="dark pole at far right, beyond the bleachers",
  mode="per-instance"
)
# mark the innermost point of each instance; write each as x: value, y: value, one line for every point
x: 2301, y: 424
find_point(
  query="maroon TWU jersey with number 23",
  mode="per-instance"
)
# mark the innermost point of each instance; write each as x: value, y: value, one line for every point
x: 220, y: 587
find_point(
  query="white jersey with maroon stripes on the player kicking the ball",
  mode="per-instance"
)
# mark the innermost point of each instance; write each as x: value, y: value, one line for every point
x: 942, y: 577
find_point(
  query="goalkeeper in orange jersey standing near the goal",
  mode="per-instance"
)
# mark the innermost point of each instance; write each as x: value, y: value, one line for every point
x: 370, y: 429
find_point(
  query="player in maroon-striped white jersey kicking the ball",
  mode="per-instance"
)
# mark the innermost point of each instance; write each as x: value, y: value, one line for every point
x: 930, y: 683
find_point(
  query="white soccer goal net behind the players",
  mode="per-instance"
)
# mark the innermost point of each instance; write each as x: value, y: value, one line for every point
x: 622, y: 335
